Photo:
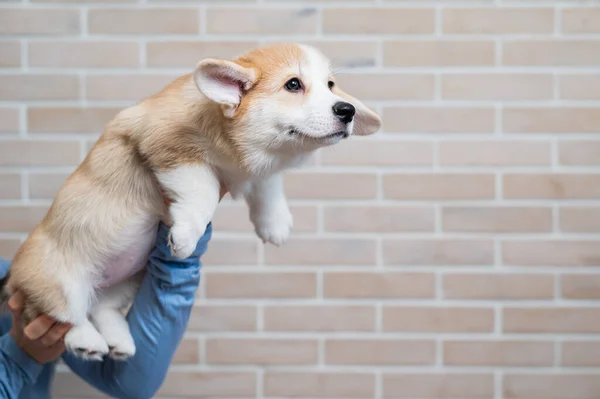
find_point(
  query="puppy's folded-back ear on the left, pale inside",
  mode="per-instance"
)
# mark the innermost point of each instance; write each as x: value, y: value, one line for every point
x: 224, y: 81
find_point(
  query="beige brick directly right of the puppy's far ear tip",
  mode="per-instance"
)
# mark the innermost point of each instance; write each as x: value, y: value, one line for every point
x: 438, y: 120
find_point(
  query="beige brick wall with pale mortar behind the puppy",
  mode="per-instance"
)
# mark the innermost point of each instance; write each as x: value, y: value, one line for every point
x: 455, y: 255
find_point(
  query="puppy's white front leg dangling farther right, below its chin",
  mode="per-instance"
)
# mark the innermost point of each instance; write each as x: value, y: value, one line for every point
x: 269, y: 211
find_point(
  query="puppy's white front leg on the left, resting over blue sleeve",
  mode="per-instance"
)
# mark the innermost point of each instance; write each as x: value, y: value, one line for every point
x: 194, y: 190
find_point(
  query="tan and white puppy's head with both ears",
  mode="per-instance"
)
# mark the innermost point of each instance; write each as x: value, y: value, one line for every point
x: 284, y: 96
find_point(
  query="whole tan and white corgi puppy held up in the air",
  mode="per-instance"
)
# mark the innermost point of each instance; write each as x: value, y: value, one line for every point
x: 239, y: 123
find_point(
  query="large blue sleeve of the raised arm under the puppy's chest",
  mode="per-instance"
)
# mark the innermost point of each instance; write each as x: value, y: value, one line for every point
x: 158, y: 319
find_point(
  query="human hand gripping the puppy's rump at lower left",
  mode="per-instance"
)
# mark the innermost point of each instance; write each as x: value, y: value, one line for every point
x: 42, y: 339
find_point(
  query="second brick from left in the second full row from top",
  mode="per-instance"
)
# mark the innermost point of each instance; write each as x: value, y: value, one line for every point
x: 84, y: 54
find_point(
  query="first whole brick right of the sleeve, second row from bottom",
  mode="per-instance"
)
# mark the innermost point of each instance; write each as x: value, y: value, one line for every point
x: 261, y: 351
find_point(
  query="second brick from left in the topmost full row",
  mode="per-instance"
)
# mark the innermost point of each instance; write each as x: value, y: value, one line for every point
x: 161, y: 21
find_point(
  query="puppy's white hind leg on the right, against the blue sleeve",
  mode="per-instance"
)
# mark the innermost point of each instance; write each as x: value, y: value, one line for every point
x: 109, y: 317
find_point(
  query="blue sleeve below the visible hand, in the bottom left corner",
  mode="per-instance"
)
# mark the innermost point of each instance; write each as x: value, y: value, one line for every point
x: 17, y: 368
